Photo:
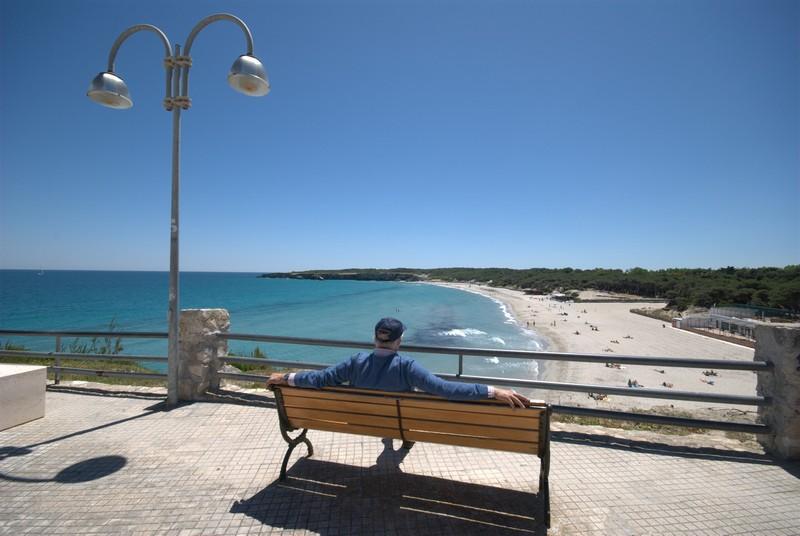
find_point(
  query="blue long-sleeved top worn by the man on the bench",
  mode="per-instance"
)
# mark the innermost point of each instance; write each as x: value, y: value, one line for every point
x: 388, y: 371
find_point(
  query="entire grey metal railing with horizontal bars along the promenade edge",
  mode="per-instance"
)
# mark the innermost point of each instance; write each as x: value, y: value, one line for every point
x: 669, y: 394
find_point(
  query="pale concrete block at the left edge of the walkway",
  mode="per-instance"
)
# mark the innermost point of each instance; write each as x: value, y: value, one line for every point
x: 22, y: 390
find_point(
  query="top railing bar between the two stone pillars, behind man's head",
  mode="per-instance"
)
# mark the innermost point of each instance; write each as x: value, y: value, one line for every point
x: 688, y: 362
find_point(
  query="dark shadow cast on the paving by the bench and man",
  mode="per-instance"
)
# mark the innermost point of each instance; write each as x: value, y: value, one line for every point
x: 331, y: 498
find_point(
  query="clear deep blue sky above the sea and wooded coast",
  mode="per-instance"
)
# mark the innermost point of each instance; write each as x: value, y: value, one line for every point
x: 423, y: 134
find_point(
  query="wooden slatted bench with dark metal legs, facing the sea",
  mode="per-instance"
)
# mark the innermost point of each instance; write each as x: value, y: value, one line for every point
x: 412, y: 417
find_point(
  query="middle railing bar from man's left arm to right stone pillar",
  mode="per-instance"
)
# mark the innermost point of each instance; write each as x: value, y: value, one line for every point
x: 638, y: 392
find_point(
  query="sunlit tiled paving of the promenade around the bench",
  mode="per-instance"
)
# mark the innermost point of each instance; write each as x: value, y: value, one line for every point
x: 102, y: 463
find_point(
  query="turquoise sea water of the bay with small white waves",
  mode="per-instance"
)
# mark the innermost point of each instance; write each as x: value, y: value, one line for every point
x: 346, y: 310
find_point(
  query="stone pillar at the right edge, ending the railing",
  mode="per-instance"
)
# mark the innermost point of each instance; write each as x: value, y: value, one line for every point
x: 780, y: 346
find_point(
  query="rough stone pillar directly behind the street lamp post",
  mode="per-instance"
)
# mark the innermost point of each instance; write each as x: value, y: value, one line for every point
x: 200, y: 350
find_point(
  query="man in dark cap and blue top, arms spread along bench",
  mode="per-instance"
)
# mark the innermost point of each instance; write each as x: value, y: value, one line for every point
x: 386, y: 370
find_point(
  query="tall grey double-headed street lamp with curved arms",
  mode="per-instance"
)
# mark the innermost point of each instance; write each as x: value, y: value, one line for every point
x: 246, y: 76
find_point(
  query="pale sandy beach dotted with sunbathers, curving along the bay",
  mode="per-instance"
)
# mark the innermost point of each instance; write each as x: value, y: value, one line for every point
x: 611, y: 329
